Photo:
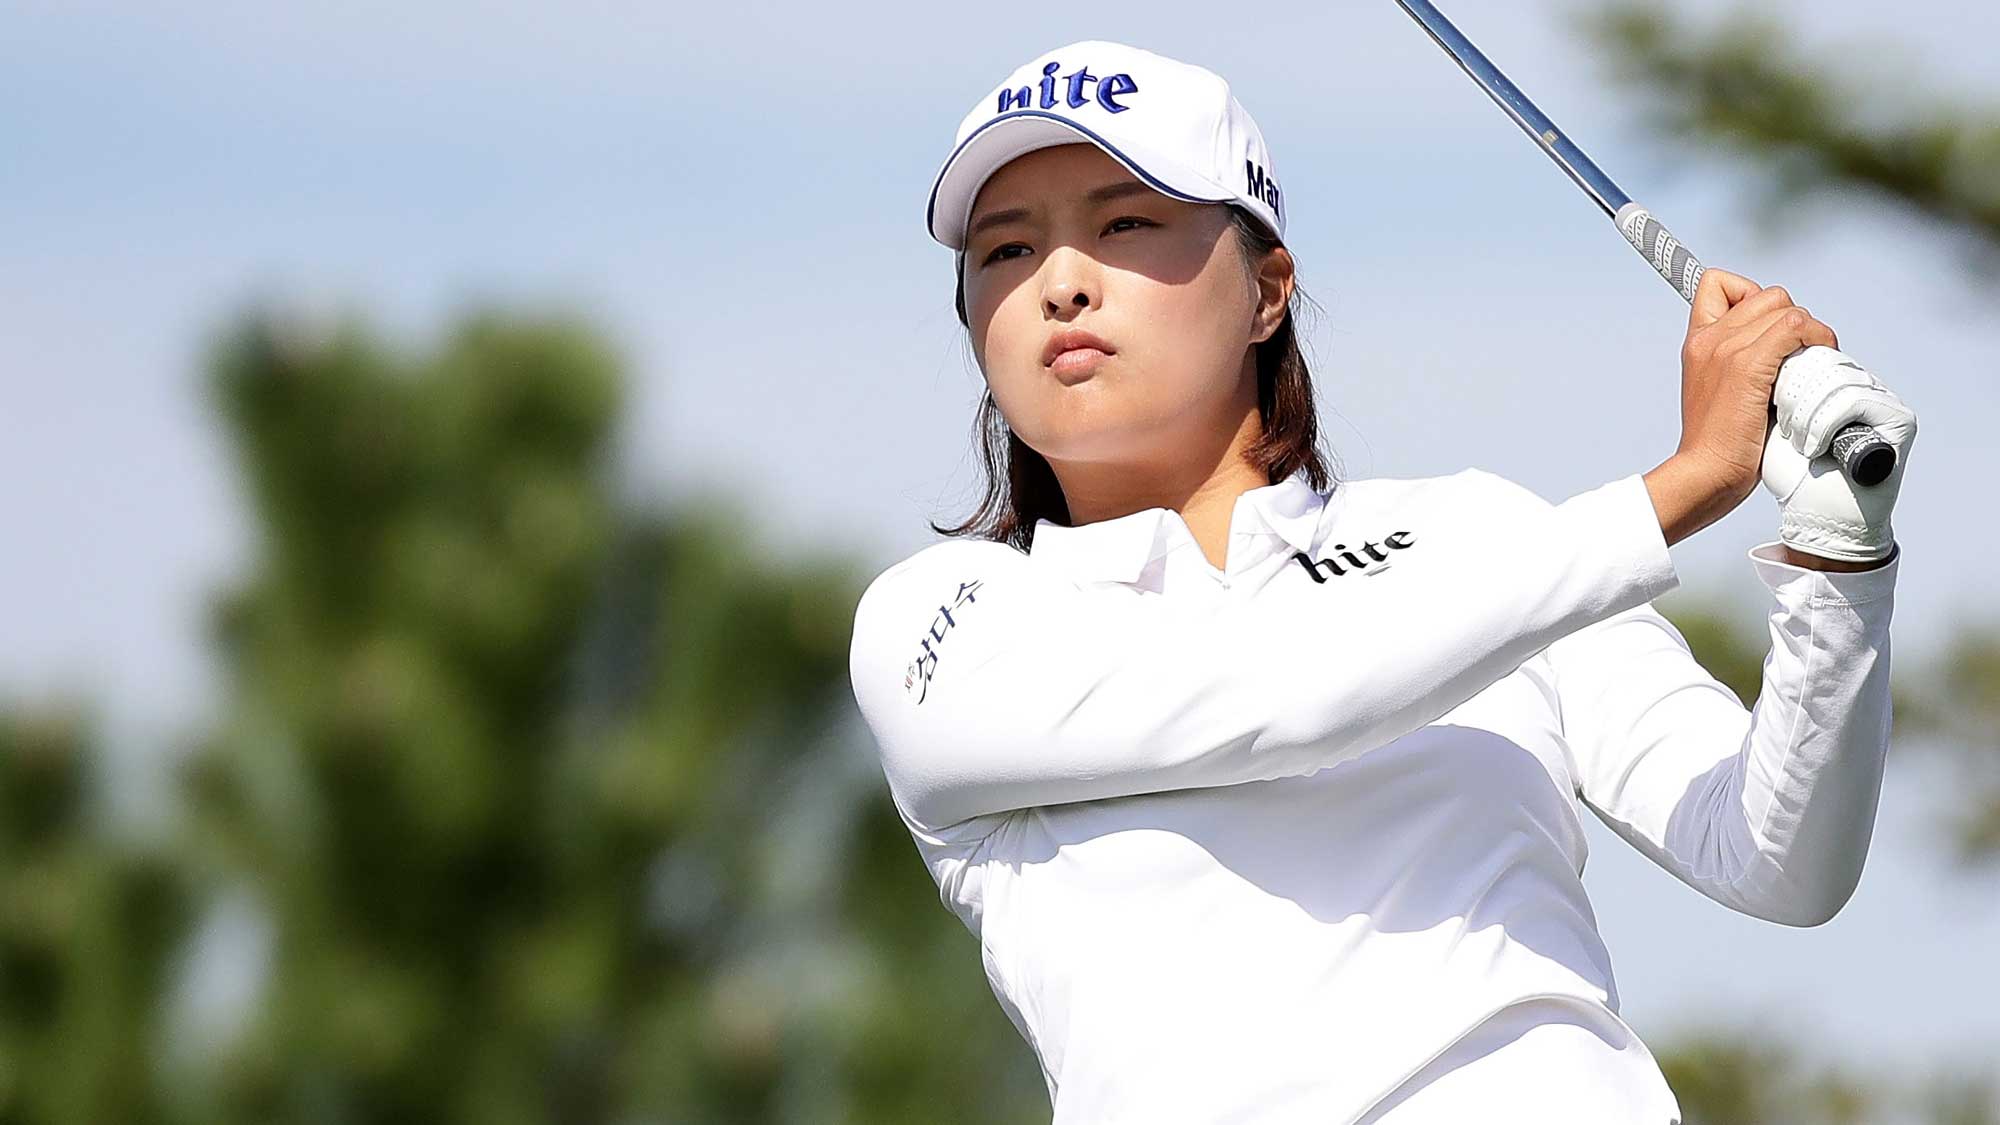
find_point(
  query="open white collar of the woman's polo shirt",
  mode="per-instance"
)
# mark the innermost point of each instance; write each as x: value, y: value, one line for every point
x: 1119, y: 549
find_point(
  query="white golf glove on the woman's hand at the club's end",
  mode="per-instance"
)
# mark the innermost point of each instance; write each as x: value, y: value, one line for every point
x: 1821, y: 511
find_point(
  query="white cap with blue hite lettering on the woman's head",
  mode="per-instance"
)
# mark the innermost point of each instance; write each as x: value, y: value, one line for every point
x: 1173, y: 125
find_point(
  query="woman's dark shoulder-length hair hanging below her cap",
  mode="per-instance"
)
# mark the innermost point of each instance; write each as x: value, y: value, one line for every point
x: 1021, y: 487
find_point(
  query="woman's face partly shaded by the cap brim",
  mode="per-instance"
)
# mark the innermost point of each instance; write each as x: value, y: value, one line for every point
x: 1159, y: 279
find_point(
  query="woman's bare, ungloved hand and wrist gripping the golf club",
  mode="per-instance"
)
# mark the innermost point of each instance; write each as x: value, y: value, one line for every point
x: 1739, y: 337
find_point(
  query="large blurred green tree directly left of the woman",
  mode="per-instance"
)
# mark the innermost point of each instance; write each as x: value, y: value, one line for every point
x: 555, y: 806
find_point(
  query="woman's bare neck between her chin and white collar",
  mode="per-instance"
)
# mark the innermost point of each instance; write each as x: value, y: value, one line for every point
x: 1199, y: 483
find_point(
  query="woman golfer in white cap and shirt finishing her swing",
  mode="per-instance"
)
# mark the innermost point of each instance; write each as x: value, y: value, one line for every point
x: 1263, y: 792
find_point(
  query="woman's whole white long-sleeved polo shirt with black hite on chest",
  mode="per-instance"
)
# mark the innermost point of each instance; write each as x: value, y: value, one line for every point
x: 1301, y: 840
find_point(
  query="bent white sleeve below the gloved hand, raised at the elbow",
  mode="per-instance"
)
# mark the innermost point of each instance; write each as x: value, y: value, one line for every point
x: 1763, y: 810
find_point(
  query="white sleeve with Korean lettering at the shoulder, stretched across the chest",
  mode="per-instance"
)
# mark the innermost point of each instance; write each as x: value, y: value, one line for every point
x: 991, y: 686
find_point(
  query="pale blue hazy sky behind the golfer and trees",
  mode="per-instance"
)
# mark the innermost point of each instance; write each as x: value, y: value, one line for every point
x: 737, y: 195
